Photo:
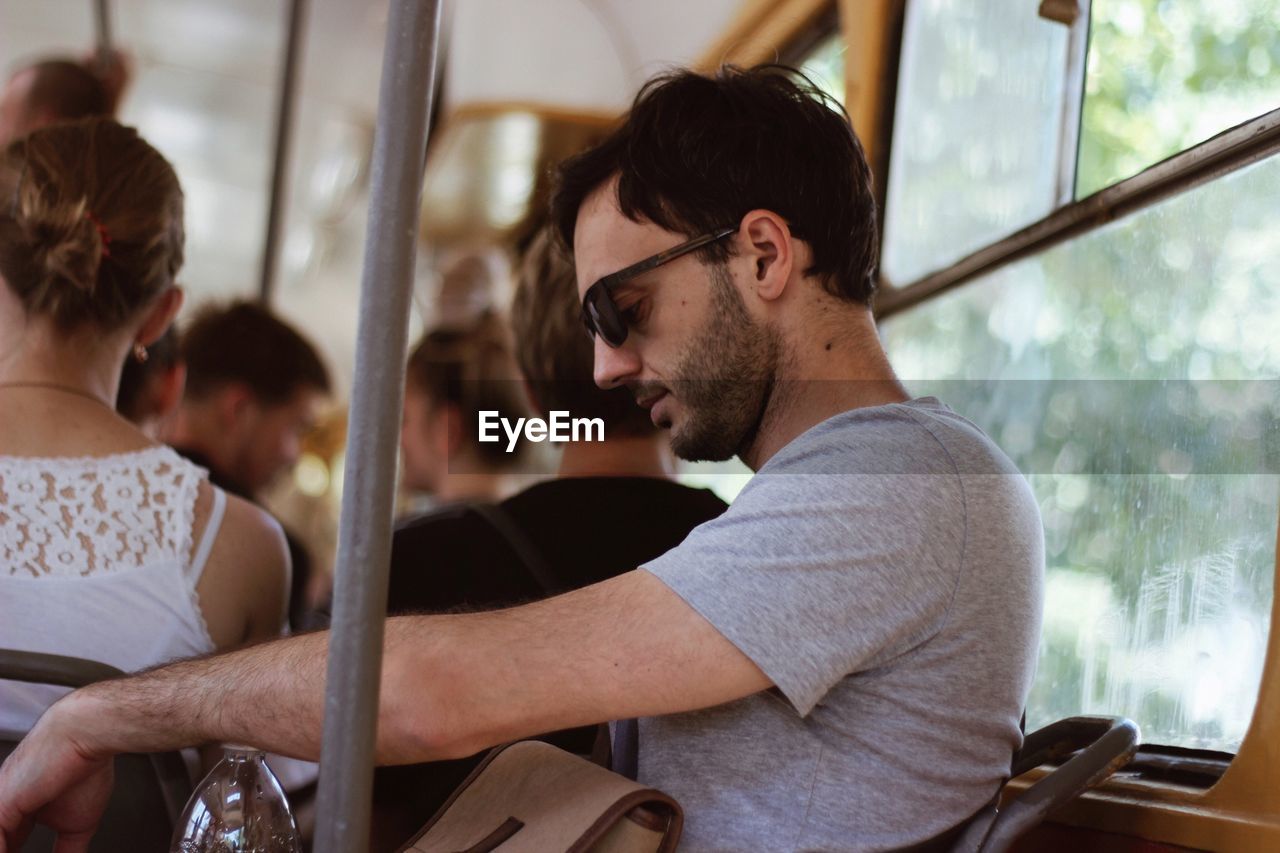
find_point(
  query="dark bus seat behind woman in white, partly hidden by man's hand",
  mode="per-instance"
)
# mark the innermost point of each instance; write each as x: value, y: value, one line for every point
x: 150, y: 791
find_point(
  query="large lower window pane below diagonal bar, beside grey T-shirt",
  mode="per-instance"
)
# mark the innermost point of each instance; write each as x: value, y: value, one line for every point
x: 1135, y: 377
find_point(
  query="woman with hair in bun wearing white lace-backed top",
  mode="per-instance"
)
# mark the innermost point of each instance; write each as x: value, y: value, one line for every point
x: 112, y: 548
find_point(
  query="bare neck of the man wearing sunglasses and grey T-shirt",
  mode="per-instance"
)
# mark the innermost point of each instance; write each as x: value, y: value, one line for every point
x: 829, y: 371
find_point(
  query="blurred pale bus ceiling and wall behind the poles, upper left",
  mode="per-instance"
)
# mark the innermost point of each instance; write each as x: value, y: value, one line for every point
x: 205, y: 90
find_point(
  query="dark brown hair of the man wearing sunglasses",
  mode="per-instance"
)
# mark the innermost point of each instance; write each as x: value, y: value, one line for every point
x: 698, y: 153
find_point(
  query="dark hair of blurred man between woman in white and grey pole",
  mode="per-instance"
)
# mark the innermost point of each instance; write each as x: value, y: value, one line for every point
x: 246, y: 344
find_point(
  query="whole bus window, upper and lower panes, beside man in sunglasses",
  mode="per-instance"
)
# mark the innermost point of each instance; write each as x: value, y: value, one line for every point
x: 1128, y: 363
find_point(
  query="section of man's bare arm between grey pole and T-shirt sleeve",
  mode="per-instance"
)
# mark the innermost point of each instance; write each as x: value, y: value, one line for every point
x: 623, y: 649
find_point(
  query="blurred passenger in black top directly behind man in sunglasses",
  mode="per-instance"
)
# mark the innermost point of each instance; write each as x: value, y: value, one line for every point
x: 614, y: 508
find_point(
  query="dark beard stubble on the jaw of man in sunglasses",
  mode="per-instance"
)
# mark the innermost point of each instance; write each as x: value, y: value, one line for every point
x: 726, y: 378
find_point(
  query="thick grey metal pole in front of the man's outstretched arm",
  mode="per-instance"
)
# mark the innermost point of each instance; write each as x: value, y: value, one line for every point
x: 364, y: 539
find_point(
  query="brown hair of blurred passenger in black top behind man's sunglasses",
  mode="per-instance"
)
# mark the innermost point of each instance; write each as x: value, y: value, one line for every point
x: 552, y: 349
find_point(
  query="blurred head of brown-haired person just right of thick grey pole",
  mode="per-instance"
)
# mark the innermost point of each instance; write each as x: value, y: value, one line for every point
x: 452, y: 376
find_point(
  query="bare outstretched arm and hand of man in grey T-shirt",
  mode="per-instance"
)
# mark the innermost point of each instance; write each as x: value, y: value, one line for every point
x: 451, y: 686
